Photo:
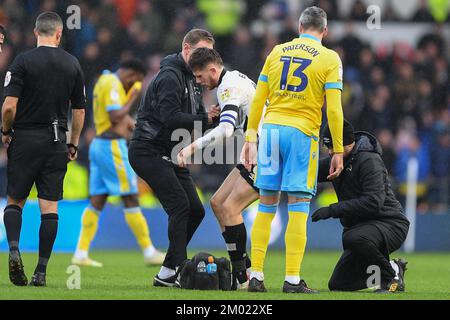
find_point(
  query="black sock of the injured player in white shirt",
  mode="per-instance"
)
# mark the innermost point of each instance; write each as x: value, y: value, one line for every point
x: 236, y: 239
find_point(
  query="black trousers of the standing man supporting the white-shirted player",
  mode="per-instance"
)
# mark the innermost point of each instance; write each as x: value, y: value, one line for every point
x: 175, y: 189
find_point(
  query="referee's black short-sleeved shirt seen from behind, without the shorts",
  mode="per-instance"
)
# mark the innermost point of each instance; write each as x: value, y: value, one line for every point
x: 47, y: 81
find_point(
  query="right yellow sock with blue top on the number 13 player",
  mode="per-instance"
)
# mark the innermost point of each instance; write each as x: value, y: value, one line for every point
x: 295, y: 238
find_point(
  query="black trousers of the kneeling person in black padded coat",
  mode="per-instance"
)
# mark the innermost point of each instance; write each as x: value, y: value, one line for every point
x: 366, y: 245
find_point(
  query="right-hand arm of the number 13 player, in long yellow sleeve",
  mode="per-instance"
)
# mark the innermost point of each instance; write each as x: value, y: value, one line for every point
x: 335, y: 115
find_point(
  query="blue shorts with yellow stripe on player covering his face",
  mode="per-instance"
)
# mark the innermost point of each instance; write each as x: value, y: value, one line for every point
x: 110, y: 170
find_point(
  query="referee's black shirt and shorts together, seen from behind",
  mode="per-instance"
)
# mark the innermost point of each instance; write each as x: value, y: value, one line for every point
x: 48, y: 82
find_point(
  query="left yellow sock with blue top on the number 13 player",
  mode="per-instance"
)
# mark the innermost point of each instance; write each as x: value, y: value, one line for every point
x: 261, y: 235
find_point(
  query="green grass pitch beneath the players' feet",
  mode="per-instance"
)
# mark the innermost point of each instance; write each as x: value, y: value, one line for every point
x: 124, y: 277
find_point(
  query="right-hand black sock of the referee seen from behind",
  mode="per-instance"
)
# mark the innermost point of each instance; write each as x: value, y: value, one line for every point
x: 47, y: 236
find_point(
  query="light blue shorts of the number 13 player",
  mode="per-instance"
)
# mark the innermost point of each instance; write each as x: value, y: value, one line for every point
x: 287, y: 160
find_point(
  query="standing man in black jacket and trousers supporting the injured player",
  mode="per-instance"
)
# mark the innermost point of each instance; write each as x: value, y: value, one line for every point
x: 172, y: 101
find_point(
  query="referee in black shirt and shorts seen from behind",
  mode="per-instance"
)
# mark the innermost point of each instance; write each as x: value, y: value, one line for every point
x: 40, y: 86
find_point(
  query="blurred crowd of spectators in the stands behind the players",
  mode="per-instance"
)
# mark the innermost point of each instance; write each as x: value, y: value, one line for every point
x: 400, y: 94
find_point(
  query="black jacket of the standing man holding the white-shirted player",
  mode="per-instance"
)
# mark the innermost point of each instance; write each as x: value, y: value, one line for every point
x: 172, y: 101
